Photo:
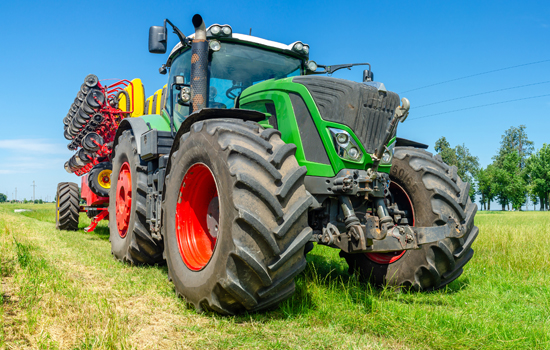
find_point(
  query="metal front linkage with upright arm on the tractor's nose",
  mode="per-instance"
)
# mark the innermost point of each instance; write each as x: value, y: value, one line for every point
x: 379, y: 233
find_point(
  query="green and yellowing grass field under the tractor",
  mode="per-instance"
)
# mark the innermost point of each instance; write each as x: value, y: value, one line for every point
x: 64, y: 290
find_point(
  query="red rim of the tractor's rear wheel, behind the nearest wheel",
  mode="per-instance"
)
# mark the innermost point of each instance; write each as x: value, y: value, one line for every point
x: 123, y: 201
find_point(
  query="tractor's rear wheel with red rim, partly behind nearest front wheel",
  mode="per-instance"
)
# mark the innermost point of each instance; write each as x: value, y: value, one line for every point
x: 131, y: 240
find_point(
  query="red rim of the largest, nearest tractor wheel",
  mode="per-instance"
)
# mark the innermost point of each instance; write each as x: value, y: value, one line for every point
x: 197, y: 217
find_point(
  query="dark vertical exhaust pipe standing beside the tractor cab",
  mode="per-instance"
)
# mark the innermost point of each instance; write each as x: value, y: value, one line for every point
x: 199, y: 65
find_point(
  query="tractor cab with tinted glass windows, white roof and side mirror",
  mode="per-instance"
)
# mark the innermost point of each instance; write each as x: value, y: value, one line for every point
x: 233, y: 62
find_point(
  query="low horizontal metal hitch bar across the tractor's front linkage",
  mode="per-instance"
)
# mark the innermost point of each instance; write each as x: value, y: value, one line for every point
x: 398, y: 238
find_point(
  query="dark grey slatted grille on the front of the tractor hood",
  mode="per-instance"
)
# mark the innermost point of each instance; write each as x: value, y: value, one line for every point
x: 362, y: 108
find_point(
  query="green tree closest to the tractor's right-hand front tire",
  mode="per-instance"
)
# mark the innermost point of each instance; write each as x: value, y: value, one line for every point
x: 466, y: 164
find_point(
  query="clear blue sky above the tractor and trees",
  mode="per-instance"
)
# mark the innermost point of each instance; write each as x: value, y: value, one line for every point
x: 48, y: 48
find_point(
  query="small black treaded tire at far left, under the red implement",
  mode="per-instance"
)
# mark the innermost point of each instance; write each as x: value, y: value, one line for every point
x: 67, y: 208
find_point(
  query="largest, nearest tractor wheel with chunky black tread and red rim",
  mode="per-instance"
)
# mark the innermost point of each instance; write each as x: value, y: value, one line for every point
x: 234, y: 217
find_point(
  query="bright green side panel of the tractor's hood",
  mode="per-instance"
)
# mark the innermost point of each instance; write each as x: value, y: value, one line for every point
x: 277, y: 91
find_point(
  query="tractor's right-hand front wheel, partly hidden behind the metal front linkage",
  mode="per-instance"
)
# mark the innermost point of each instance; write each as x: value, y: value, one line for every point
x: 435, y: 192
